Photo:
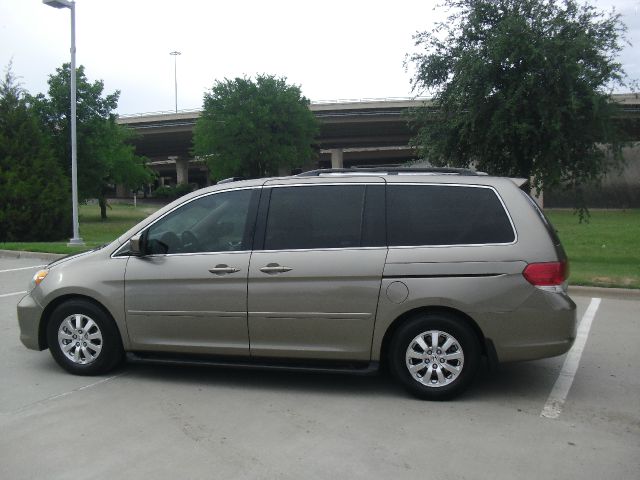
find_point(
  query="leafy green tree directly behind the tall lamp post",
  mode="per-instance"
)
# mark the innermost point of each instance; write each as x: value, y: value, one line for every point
x: 105, y: 156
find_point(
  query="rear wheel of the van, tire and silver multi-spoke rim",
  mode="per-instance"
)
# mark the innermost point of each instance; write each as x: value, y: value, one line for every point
x: 448, y: 371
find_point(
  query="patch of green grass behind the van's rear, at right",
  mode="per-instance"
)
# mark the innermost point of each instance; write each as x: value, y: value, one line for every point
x: 604, y: 252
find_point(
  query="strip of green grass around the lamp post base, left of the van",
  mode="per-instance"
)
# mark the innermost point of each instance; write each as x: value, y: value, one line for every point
x: 93, y: 231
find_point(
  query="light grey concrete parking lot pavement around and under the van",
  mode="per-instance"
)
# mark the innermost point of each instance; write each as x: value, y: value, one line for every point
x: 189, y: 423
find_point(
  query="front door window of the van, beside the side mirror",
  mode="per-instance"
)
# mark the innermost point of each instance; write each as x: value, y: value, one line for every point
x: 213, y: 223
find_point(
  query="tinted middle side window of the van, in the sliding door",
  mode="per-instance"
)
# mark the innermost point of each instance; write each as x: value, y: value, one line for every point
x: 326, y: 216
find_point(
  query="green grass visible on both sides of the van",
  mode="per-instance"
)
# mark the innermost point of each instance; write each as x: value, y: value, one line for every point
x: 604, y: 252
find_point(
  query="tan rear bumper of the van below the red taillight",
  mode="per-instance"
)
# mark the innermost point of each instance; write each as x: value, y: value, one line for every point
x: 544, y: 326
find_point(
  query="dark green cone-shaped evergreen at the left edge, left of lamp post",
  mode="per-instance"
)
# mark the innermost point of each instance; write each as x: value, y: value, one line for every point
x: 35, y: 202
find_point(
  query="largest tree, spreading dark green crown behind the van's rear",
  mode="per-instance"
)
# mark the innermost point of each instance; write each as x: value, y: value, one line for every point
x: 521, y: 88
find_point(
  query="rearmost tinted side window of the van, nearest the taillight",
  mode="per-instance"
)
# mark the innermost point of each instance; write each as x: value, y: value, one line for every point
x: 445, y: 215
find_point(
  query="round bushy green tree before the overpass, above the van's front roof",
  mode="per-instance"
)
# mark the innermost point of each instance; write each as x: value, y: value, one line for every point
x: 252, y: 129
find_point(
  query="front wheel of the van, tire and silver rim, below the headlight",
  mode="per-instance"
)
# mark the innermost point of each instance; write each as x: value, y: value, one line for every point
x: 83, y: 338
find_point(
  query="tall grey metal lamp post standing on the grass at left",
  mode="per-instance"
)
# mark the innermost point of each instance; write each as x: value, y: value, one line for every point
x: 76, y: 240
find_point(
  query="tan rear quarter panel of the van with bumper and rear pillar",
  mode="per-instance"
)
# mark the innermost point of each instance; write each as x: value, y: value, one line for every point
x: 485, y: 283
